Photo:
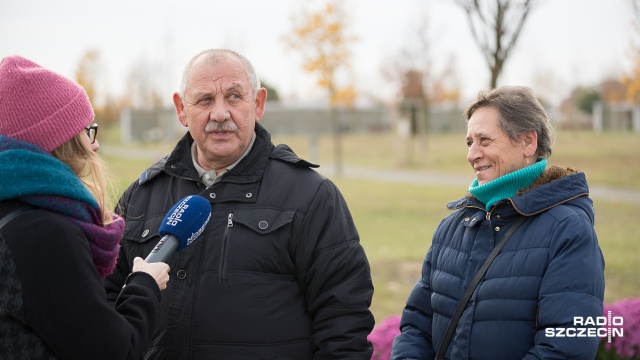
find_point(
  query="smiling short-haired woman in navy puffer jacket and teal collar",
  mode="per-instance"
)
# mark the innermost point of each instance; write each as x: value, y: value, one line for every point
x: 549, y: 273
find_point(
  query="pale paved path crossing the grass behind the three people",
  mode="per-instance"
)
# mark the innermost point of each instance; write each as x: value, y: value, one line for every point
x: 395, y: 175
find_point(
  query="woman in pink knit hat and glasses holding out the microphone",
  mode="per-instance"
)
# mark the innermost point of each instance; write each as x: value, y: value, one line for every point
x: 57, y: 238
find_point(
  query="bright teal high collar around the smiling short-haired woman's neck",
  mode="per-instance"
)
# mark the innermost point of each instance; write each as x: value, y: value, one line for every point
x: 508, y: 185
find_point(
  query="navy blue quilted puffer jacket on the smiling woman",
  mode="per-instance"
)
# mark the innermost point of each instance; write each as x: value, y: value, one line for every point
x: 550, y: 271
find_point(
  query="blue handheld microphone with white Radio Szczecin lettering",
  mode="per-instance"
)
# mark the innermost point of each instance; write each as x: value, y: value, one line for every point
x: 181, y: 226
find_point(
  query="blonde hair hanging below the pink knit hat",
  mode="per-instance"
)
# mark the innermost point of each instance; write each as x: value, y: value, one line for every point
x: 91, y: 169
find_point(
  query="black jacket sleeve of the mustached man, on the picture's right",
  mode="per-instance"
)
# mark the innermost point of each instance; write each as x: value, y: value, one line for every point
x: 336, y: 278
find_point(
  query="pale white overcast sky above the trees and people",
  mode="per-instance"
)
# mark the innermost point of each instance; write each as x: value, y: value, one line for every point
x: 570, y: 42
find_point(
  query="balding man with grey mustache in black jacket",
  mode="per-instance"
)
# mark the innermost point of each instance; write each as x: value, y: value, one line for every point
x: 279, y: 272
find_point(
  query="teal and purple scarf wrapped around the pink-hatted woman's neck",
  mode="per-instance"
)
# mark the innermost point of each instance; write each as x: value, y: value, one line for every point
x: 35, y: 177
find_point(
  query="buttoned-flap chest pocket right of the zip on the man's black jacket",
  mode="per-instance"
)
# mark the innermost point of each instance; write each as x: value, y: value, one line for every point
x: 258, y: 241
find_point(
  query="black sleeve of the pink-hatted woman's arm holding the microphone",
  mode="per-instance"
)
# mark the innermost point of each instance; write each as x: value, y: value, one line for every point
x: 64, y: 298
